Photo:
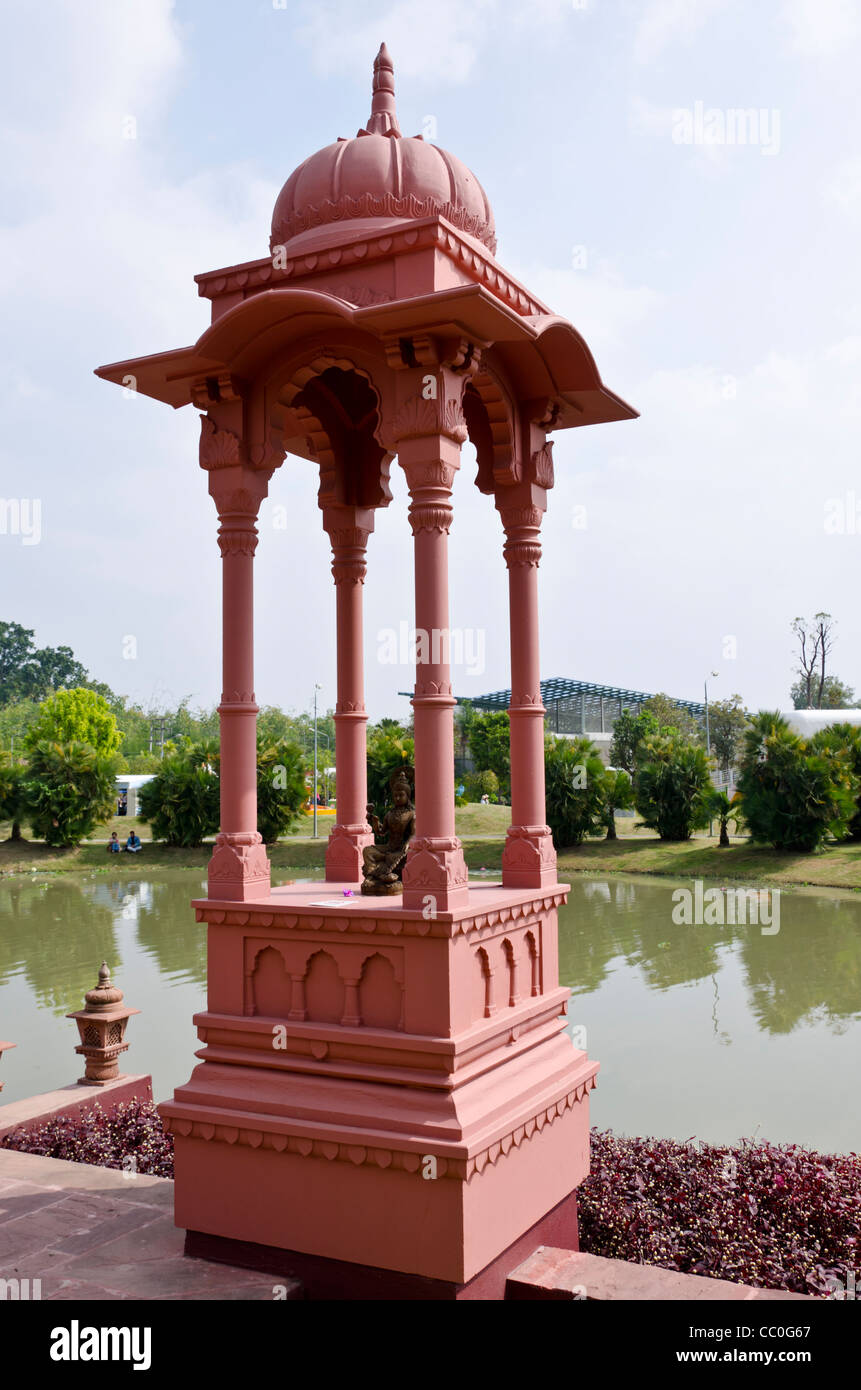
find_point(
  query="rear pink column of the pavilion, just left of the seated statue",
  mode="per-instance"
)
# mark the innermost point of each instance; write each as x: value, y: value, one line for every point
x: 348, y: 530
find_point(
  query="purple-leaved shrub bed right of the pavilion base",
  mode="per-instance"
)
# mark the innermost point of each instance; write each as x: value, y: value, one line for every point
x: 775, y: 1217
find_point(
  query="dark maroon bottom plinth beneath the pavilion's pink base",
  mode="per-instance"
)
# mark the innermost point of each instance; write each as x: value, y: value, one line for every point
x: 340, y: 1279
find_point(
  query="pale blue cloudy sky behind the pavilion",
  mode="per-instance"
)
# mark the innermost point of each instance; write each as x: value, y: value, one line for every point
x: 717, y: 283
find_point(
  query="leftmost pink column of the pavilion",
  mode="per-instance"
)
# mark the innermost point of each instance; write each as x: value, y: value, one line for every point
x: 240, y: 868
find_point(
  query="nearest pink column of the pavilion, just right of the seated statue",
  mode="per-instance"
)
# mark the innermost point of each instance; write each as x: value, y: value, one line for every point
x: 435, y: 878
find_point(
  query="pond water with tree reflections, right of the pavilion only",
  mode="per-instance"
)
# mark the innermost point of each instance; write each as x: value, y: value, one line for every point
x: 717, y: 1032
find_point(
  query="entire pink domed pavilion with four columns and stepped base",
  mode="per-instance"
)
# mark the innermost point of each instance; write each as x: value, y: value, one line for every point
x: 386, y: 1103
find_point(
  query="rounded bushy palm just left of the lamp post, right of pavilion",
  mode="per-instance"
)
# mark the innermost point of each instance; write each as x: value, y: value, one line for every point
x: 673, y: 785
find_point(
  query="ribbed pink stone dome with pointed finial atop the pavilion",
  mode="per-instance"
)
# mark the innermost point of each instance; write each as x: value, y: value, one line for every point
x: 382, y: 174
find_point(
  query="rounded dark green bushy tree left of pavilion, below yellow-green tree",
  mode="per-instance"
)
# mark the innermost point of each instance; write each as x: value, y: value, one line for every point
x: 69, y: 790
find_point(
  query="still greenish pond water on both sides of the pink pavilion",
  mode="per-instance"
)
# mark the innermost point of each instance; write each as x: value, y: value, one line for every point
x: 709, y: 1032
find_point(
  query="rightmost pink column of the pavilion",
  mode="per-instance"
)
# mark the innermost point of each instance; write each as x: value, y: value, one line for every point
x: 529, y: 860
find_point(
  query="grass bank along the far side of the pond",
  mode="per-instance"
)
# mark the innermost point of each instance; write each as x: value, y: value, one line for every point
x: 482, y: 831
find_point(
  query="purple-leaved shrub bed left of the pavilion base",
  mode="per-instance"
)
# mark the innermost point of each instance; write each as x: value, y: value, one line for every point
x: 106, y: 1139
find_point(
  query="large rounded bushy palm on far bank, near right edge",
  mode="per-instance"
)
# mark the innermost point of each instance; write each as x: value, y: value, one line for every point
x: 794, y: 796
